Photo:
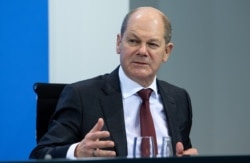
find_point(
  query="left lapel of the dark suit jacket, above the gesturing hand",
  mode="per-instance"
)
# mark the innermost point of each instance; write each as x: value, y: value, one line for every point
x: 113, y: 112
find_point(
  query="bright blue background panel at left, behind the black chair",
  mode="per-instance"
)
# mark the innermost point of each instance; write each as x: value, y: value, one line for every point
x: 23, y: 60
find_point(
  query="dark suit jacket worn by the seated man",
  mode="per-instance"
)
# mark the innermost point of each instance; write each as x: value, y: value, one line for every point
x: 82, y: 103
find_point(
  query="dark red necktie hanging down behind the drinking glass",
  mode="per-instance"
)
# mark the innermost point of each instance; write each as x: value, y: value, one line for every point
x: 146, y: 121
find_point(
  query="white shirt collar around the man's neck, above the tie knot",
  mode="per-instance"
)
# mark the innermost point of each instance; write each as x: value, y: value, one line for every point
x: 130, y: 87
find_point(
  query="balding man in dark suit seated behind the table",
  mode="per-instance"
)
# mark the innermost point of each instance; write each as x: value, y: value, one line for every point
x: 99, y: 117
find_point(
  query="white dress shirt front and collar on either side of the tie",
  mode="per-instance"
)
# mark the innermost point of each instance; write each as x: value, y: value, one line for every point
x: 131, y: 105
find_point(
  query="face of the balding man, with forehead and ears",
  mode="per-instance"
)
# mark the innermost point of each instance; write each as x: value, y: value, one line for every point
x: 142, y: 47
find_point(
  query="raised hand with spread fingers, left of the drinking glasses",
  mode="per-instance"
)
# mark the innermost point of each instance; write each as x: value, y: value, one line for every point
x: 91, y: 145
